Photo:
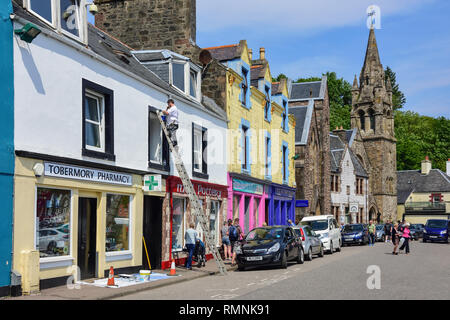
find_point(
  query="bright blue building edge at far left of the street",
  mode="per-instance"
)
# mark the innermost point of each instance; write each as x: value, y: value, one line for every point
x: 6, y: 145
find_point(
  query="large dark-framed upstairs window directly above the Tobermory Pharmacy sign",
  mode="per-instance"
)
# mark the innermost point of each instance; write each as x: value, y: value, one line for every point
x: 98, y: 121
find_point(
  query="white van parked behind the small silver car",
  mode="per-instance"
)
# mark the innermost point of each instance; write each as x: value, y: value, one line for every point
x: 328, y: 229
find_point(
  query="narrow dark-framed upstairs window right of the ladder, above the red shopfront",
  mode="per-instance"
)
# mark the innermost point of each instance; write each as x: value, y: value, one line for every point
x: 199, y: 152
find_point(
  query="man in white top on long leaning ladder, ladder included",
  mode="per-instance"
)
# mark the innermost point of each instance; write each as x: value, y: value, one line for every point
x: 196, y: 208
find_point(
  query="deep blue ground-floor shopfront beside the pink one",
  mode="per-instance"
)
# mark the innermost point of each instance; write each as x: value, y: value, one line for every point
x: 281, y: 204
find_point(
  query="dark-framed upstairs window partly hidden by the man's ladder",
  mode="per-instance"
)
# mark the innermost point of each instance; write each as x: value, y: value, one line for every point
x: 158, y: 148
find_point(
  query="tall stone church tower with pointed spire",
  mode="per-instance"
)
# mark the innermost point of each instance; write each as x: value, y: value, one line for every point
x: 373, y: 116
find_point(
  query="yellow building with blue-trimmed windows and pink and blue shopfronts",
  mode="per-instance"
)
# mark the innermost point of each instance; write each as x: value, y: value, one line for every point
x: 261, y: 140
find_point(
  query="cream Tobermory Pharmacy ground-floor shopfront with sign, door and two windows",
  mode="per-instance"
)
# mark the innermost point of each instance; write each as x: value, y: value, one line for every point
x: 74, y: 220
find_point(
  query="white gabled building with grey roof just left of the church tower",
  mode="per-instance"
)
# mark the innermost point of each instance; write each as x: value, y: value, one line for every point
x: 349, y: 184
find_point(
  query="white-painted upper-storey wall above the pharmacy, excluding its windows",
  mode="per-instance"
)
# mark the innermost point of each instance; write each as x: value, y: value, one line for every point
x: 48, y: 109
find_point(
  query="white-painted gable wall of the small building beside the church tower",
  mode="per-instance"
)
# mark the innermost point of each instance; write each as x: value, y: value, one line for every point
x: 348, y: 178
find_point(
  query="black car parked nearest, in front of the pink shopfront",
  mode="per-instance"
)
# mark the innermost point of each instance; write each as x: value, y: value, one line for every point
x: 265, y: 246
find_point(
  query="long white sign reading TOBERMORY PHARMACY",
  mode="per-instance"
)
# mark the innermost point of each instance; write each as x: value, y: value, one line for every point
x: 86, y: 174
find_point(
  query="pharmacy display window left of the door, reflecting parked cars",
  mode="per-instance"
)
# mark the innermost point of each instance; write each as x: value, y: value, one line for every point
x: 53, y: 210
